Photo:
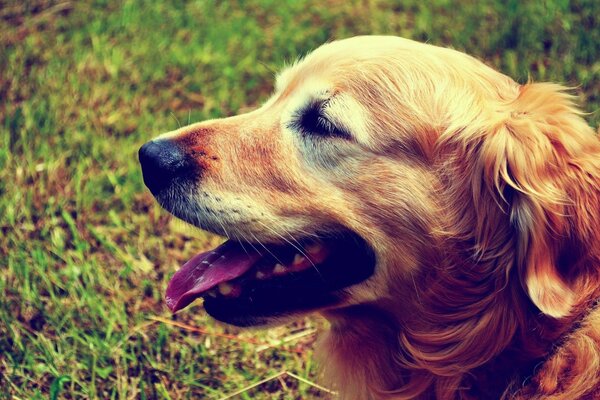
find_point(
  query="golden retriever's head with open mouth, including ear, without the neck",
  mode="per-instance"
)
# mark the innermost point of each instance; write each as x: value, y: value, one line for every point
x: 349, y: 183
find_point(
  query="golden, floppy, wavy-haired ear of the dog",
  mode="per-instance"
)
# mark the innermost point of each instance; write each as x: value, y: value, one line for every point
x: 529, y: 166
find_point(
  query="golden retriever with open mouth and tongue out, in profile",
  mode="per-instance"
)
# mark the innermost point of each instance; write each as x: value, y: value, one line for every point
x: 442, y: 217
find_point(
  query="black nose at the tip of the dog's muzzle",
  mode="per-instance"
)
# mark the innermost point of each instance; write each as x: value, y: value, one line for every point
x: 162, y: 162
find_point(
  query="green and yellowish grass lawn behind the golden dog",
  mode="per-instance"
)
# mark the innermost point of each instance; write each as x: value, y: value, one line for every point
x: 85, y: 252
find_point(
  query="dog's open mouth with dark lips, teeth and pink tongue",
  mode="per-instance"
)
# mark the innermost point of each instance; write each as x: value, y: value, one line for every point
x: 251, y: 284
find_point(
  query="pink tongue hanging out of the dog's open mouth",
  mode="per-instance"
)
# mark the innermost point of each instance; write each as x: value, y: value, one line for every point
x: 206, y: 270
